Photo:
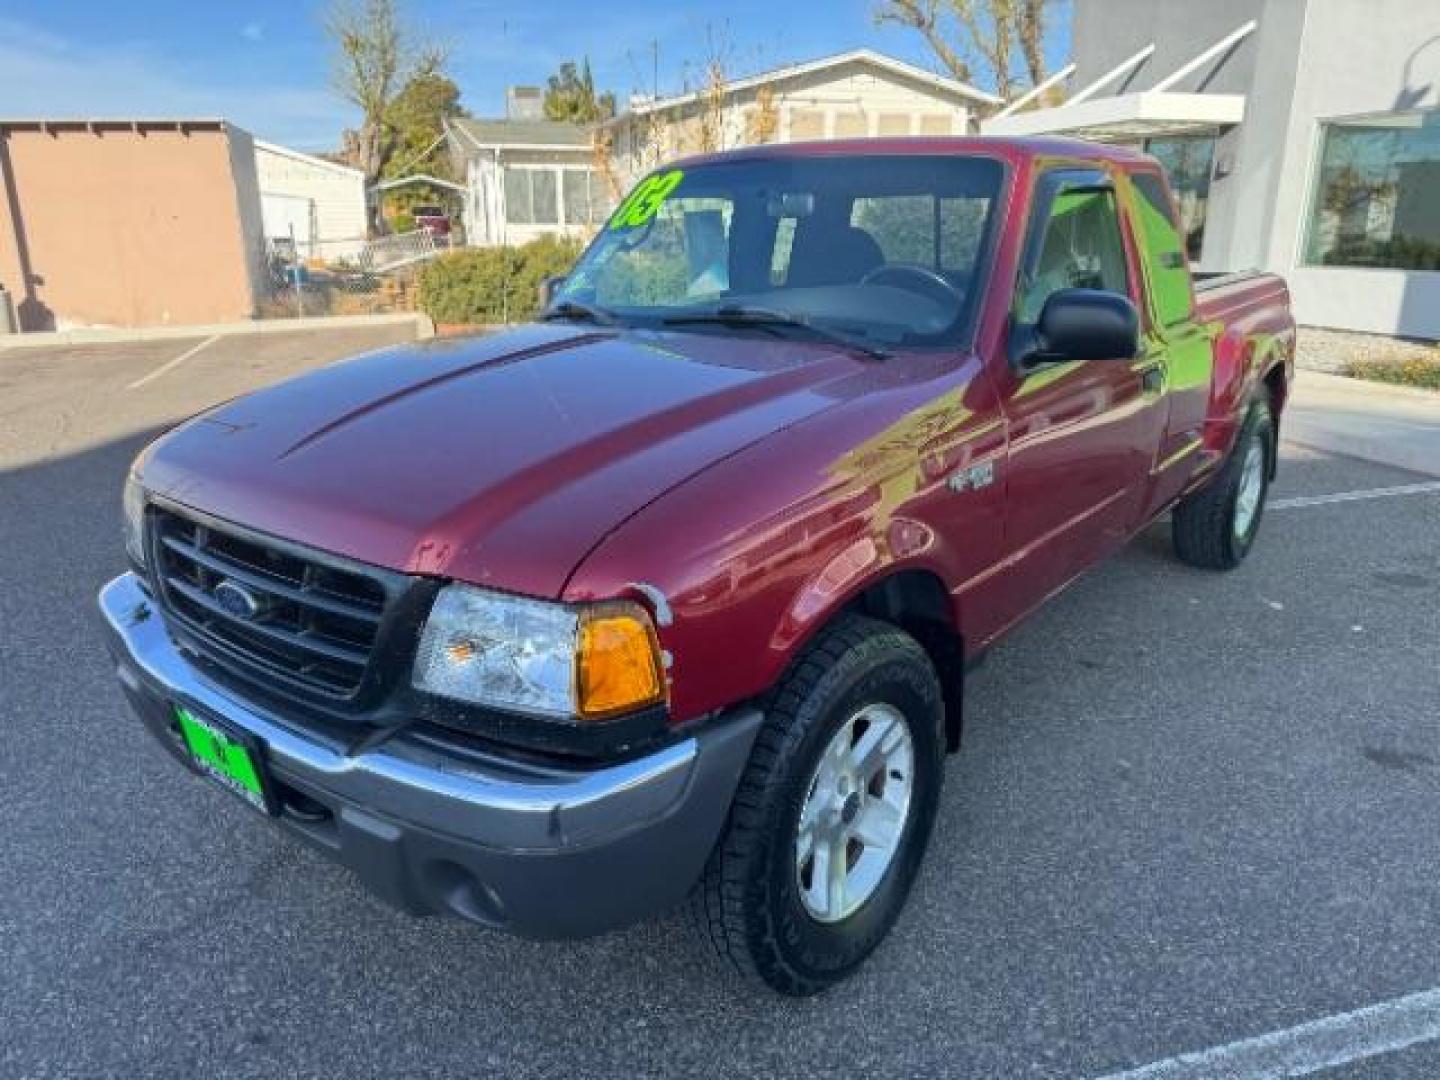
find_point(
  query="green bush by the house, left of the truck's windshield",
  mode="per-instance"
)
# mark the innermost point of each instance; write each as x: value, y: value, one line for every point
x: 493, y: 284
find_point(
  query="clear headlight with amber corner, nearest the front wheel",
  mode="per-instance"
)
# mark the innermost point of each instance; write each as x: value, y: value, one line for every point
x: 588, y: 663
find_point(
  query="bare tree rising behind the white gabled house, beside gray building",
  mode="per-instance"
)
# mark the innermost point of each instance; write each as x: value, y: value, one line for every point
x: 970, y: 35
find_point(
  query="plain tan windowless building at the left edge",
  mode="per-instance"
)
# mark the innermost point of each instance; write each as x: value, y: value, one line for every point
x: 110, y: 225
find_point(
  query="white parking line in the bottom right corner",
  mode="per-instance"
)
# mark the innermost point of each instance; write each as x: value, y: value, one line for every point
x: 1310, y: 1048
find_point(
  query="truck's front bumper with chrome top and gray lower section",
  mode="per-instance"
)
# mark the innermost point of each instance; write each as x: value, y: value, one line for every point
x: 539, y: 855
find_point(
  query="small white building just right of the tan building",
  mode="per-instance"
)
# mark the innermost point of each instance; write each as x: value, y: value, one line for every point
x: 318, y: 202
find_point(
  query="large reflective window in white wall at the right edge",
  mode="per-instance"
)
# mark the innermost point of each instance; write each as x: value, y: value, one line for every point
x: 1377, y: 199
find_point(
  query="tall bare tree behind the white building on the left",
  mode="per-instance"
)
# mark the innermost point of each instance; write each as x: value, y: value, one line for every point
x: 377, y: 55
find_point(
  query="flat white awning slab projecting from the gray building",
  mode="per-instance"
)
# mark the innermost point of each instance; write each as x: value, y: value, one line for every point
x: 1127, y: 117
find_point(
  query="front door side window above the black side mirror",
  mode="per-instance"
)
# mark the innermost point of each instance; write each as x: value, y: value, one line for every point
x: 1082, y: 248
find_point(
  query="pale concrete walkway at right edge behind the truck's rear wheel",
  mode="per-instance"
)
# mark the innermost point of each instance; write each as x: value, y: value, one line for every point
x: 1390, y: 426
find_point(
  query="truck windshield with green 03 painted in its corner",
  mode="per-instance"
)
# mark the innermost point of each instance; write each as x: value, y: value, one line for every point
x: 888, y: 250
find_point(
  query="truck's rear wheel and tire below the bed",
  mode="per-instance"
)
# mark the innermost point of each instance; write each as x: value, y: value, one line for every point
x: 1216, y: 526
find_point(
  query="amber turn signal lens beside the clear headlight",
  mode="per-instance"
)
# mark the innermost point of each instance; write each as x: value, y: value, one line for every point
x: 620, y: 665
